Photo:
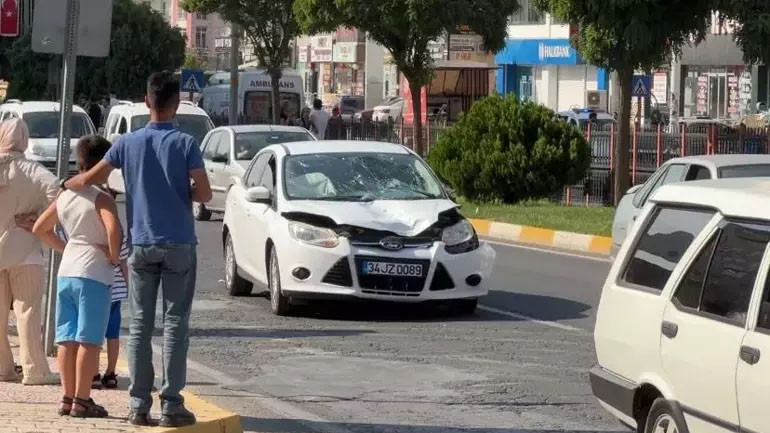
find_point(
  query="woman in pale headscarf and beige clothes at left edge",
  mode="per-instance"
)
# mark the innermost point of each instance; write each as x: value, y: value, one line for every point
x: 26, y: 189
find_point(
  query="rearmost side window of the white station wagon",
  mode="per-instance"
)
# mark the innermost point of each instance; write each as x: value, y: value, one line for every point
x: 667, y: 236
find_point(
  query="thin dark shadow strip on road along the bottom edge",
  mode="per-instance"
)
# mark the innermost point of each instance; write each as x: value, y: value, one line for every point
x: 306, y: 426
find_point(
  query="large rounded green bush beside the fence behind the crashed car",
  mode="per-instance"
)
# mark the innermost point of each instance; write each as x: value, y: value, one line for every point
x: 506, y: 150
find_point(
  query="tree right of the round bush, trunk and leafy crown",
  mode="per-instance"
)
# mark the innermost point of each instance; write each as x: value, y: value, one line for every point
x: 629, y: 35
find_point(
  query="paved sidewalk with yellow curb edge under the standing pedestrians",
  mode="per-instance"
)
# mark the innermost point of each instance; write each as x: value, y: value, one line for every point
x: 32, y: 409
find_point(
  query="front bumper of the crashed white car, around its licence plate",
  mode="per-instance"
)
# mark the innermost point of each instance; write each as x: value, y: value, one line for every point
x: 337, y: 272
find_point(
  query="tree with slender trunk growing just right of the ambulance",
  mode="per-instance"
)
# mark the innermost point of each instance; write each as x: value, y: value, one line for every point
x: 270, y: 26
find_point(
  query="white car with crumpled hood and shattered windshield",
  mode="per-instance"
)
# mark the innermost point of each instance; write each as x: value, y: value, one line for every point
x: 350, y: 219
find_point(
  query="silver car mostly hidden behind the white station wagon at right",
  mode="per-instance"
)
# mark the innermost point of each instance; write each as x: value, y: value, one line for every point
x: 683, y: 170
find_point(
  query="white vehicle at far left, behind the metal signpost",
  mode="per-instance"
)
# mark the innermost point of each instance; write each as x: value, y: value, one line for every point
x: 42, y: 118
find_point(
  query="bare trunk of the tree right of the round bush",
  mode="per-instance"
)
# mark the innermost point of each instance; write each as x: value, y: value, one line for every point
x: 623, y: 142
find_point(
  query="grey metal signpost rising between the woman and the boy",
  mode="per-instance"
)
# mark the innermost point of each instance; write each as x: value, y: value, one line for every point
x: 62, y: 155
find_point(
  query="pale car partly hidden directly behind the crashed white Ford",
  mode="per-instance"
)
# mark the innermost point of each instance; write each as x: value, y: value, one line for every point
x: 228, y: 151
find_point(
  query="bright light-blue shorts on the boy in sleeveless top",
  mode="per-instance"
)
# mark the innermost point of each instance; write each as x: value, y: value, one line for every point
x: 82, y: 310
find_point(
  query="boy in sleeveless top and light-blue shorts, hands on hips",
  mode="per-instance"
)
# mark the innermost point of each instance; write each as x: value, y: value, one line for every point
x: 89, y: 217
